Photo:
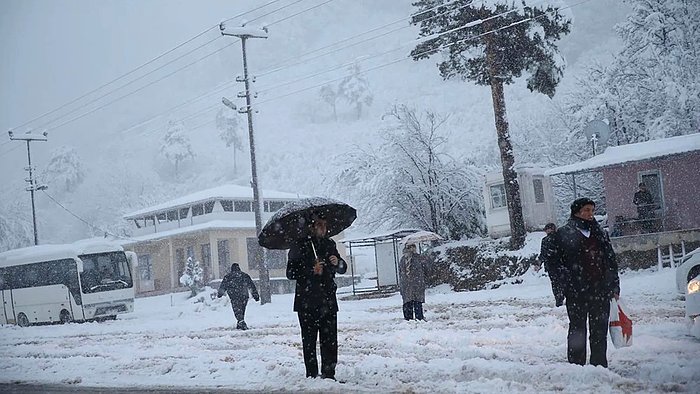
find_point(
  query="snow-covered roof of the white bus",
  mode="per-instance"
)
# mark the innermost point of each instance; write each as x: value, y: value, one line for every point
x: 33, y: 254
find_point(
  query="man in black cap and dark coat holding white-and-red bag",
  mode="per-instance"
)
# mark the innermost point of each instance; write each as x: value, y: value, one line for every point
x: 585, y: 268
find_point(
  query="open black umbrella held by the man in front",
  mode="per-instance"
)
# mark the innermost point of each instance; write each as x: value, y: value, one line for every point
x: 293, y: 221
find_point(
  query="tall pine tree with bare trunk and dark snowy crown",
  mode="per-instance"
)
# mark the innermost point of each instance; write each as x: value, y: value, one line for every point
x: 492, y: 42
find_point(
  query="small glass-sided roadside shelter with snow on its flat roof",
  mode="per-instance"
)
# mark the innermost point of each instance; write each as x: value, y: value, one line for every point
x: 386, y: 255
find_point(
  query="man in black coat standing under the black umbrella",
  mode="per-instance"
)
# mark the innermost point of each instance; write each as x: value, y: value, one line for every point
x: 313, y: 262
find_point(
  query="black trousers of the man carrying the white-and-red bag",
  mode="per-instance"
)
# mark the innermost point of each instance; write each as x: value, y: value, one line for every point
x: 596, y: 309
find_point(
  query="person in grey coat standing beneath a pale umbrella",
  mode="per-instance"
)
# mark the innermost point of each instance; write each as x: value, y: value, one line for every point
x: 412, y: 274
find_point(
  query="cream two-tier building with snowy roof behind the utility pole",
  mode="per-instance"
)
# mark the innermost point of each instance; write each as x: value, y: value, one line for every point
x: 215, y: 227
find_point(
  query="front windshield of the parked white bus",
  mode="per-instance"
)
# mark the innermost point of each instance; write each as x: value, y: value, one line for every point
x: 104, y: 272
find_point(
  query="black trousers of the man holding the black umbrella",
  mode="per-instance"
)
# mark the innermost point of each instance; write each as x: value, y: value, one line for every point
x: 325, y: 326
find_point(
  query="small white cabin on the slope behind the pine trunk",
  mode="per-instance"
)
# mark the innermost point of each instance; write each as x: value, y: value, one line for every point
x: 536, y: 197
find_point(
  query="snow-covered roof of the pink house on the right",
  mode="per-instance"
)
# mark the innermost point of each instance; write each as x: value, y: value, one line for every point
x: 633, y: 152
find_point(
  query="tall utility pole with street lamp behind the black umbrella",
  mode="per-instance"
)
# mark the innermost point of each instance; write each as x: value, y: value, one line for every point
x: 244, y: 34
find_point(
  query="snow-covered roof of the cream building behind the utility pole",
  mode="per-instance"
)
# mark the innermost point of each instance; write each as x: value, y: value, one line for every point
x: 224, y: 192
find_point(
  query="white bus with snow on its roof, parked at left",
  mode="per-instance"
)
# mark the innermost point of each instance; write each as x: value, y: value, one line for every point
x: 84, y: 281
